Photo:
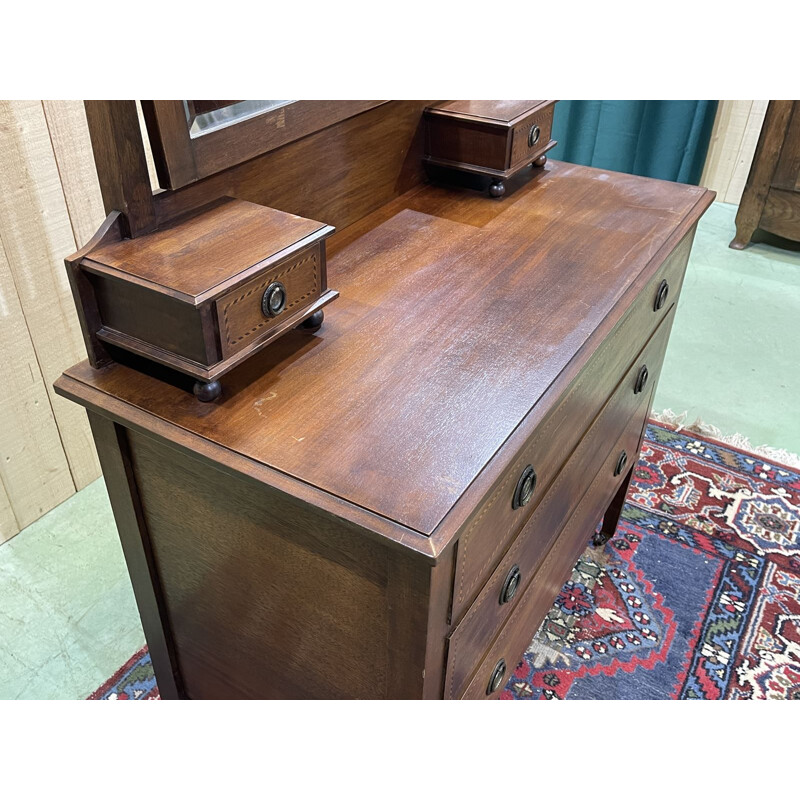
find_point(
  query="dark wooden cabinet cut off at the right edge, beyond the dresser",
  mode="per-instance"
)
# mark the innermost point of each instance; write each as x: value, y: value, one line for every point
x: 771, y: 198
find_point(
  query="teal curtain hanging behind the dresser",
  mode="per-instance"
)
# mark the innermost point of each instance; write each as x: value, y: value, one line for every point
x: 665, y: 139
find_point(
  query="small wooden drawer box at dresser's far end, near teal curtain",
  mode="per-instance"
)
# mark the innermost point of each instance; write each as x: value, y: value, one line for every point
x: 492, y: 138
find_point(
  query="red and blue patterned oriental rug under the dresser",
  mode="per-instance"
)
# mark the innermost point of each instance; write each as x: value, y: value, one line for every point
x: 697, y: 596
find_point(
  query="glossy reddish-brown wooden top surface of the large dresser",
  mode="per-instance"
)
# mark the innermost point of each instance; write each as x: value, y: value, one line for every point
x: 456, y: 314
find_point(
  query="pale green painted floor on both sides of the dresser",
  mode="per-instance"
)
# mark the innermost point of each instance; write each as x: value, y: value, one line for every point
x: 68, y: 619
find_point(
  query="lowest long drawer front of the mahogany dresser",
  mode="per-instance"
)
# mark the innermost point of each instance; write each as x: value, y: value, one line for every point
x: 537, y: 598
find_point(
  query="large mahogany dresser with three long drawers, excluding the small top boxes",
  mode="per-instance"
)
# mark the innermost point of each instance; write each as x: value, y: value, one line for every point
x: 387, y: 508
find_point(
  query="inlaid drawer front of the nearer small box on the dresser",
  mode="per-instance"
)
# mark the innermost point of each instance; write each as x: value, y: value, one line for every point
x: 241, y: 318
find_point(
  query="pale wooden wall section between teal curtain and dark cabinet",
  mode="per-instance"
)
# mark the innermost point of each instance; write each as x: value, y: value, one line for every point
x: 733, y: 143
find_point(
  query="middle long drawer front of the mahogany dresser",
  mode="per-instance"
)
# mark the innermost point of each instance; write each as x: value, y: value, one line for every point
x: 625, y: 412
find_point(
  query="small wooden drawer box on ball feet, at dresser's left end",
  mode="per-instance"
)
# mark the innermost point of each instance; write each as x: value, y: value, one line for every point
x: 206, y: 291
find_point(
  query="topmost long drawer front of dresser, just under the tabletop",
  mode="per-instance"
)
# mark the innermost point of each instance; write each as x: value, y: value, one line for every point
x: 489, y: 531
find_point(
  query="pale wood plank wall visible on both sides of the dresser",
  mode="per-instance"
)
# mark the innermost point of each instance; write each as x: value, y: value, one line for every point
x: 50, y: 205
